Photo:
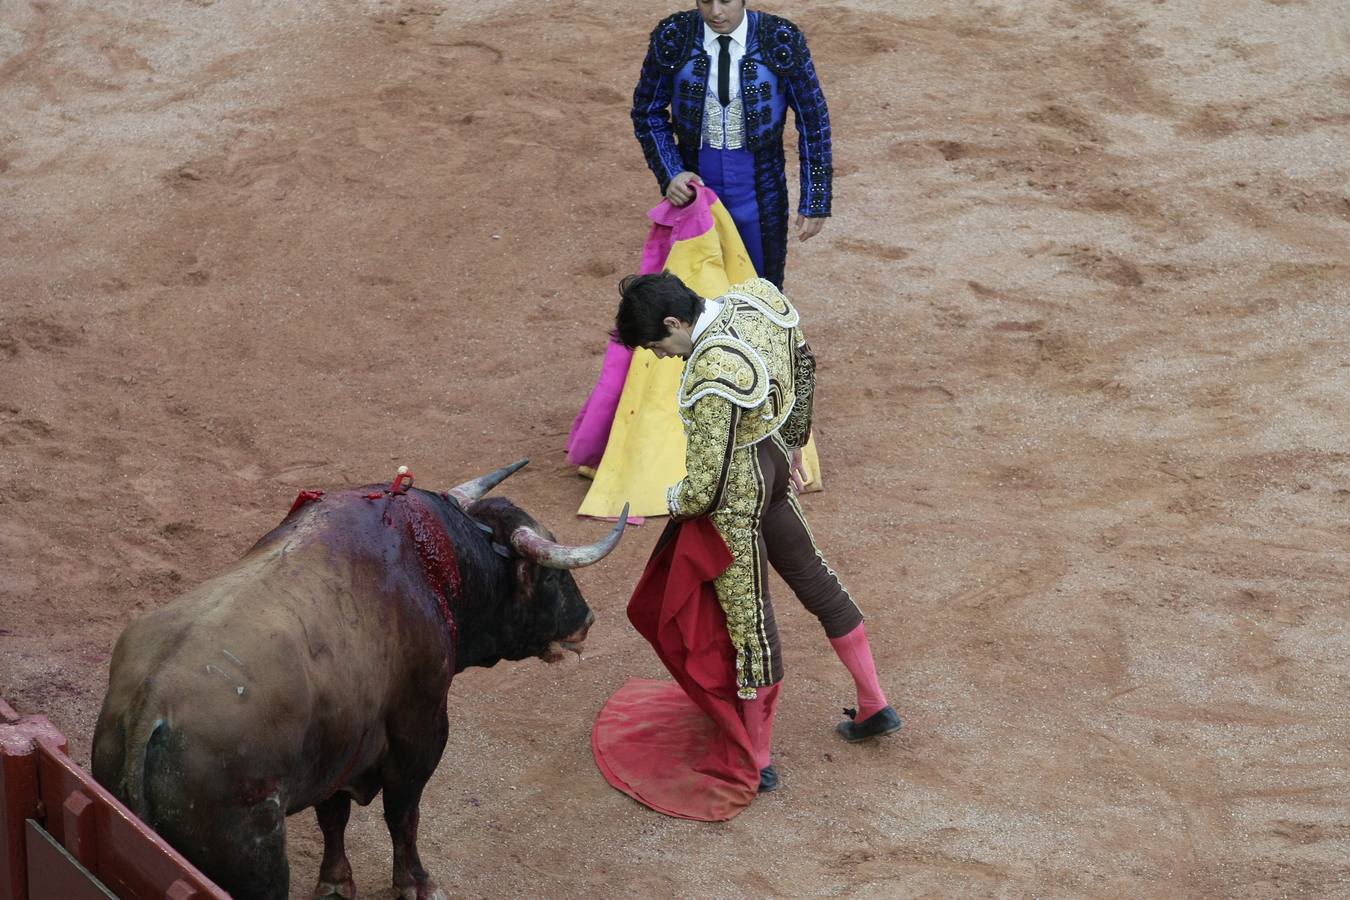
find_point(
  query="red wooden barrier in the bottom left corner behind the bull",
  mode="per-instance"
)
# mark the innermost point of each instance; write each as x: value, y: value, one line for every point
x: 64, y: 837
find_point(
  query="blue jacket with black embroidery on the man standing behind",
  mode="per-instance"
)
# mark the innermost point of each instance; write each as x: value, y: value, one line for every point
x: 777, y: 75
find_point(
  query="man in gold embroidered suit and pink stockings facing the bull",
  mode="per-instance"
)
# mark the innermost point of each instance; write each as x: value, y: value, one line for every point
x: 746, y: 400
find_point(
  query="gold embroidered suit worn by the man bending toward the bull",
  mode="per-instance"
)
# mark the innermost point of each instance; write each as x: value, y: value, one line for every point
x: 746, y: 401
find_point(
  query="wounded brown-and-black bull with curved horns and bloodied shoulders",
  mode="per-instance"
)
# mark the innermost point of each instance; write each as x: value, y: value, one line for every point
x: 315, y: 673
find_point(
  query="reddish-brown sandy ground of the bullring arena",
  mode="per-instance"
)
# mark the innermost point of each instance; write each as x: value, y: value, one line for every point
x: 1082, y: 318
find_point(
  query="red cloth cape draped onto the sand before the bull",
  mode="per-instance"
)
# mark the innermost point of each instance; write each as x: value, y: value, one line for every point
x: 681, y: 748
